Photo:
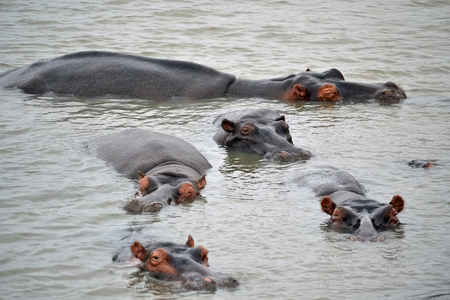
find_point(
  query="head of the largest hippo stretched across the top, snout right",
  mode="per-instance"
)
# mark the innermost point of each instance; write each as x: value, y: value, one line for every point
x: 331, y: 86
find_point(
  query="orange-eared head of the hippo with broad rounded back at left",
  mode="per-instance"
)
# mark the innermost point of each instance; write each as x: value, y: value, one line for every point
x: 157, y: 191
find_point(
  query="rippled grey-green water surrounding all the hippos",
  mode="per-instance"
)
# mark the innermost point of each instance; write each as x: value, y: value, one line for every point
x: 61, y: 221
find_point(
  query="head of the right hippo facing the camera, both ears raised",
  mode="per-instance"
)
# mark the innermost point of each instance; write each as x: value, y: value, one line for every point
x: 363, y: 219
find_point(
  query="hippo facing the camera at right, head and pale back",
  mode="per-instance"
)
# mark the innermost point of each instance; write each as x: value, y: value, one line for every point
x: 345, y: 201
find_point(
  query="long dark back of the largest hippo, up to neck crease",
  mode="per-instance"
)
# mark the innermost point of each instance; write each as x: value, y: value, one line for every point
x: 94, y: 74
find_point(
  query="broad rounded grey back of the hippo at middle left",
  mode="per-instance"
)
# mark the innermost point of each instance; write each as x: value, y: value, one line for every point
x: 136, y: 150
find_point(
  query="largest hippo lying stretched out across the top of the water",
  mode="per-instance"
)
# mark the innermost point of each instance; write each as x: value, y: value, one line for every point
x: 99, y: 73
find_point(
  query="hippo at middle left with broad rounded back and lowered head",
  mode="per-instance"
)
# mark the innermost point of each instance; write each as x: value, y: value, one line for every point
x: 169, y: 169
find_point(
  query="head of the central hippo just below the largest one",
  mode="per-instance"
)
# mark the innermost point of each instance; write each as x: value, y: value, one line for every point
x: 269, y: 138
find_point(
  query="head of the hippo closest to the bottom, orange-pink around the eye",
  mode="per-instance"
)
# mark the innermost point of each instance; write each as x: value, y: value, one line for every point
x: 177, y: 262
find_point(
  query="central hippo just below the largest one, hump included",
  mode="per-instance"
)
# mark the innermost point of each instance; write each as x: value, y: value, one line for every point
x: 262, y: 131
